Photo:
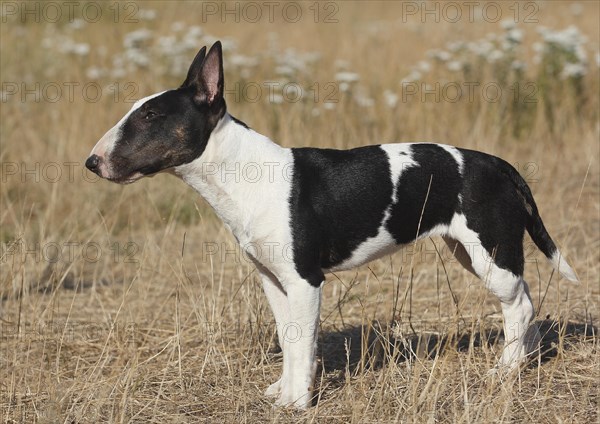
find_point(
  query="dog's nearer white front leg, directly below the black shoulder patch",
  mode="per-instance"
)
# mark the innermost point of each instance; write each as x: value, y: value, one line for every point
x: 300, y: 343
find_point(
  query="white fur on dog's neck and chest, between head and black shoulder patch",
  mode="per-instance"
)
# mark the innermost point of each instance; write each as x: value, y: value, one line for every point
x: 243, y: 202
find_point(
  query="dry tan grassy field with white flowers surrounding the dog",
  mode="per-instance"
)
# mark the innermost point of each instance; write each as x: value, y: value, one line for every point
x: 133, y: 304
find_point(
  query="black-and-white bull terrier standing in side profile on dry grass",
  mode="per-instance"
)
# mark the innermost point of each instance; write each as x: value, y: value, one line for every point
x: 326, y: 210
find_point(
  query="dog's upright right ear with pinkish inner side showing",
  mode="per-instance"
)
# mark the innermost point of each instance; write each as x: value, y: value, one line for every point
x: 209, y: 81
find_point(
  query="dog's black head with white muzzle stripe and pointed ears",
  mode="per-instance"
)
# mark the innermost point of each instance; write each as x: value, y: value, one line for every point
x: 167, y: 129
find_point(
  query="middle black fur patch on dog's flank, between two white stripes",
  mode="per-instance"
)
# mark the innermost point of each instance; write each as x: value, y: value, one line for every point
x: 426, y: 194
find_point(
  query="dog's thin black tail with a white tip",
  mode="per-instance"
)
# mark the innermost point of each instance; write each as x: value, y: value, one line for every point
x: 537, y: 230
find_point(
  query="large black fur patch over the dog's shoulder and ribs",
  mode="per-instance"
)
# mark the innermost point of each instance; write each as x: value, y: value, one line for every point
x: 338, y: 200
